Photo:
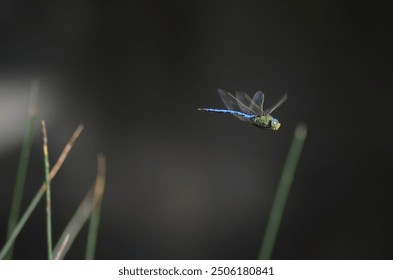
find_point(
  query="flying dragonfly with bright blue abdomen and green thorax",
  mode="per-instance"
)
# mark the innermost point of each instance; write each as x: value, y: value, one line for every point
x: 249, y: 109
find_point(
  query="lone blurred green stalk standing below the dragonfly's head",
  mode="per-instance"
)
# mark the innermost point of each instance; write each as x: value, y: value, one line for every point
x: 283, y: 188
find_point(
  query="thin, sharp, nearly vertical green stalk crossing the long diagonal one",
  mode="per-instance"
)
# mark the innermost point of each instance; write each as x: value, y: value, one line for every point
x: 48, y: 193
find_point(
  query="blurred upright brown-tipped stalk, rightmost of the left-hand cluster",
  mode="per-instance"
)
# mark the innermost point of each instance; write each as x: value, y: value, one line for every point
x: 95, y: 215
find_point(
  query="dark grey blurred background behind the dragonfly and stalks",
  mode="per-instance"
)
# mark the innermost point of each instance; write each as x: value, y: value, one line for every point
x: 186, y: 185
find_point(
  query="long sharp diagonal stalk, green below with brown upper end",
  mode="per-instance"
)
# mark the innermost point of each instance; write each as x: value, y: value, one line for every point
x: 33, y: 204
